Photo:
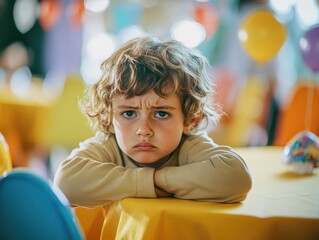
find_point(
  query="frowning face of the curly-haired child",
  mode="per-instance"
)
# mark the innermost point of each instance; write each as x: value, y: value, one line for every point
x: 148, y: 128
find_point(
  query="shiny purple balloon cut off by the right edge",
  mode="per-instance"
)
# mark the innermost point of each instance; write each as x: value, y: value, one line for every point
x: 309, y: 45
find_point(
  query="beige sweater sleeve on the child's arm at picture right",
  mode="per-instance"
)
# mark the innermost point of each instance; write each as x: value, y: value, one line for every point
x: 206, y: 172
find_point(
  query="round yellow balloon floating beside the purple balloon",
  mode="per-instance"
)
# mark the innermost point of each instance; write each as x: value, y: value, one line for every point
x: 262, y: 35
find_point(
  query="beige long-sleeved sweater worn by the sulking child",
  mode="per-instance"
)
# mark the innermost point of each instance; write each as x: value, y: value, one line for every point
x: 99, y: 172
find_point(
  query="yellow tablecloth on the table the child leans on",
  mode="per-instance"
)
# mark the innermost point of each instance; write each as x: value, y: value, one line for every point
x: 281, y: 205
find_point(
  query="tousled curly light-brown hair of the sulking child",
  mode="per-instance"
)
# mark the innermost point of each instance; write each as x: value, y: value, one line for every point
x: 145, y: 64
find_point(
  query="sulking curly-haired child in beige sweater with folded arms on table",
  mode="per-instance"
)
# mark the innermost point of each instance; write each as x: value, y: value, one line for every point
x: 147, y: 108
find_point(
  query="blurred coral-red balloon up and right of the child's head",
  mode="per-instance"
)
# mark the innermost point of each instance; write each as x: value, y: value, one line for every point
x: 206, y: 14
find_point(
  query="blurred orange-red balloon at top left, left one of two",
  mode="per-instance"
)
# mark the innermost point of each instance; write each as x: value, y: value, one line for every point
x: 49, y: 13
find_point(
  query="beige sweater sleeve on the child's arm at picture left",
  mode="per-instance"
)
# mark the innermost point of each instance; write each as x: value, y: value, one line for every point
x: 92, y: 175
